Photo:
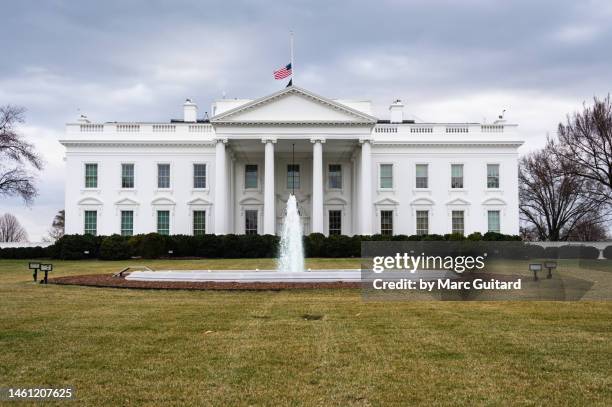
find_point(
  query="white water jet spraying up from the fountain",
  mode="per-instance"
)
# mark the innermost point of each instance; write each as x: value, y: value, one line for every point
x: 291, y: 259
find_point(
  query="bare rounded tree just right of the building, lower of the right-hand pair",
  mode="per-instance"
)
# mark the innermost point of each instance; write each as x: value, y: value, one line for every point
x: 552, y: 198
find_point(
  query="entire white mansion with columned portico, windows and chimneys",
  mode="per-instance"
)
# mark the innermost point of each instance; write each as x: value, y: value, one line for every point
x: 351, y: 172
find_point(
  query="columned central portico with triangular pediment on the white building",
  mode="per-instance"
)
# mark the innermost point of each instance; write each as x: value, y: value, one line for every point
x: 267, y: 135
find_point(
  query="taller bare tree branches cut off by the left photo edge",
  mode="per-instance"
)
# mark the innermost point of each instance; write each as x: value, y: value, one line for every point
x: 17, y: 156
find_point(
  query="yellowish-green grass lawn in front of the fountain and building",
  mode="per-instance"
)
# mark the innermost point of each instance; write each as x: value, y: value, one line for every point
x: 304, y: 347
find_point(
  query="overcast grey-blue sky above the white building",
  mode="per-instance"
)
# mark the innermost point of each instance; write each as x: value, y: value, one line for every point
x: 447, y: 60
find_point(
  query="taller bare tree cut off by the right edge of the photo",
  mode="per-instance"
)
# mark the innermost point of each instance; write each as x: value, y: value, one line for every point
x: 585, y: 142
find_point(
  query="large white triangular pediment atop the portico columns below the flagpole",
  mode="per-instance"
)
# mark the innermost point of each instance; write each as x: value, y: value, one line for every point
x: 293, y: 105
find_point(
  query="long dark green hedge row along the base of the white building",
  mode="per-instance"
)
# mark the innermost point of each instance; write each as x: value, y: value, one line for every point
x: 153, y: 245
